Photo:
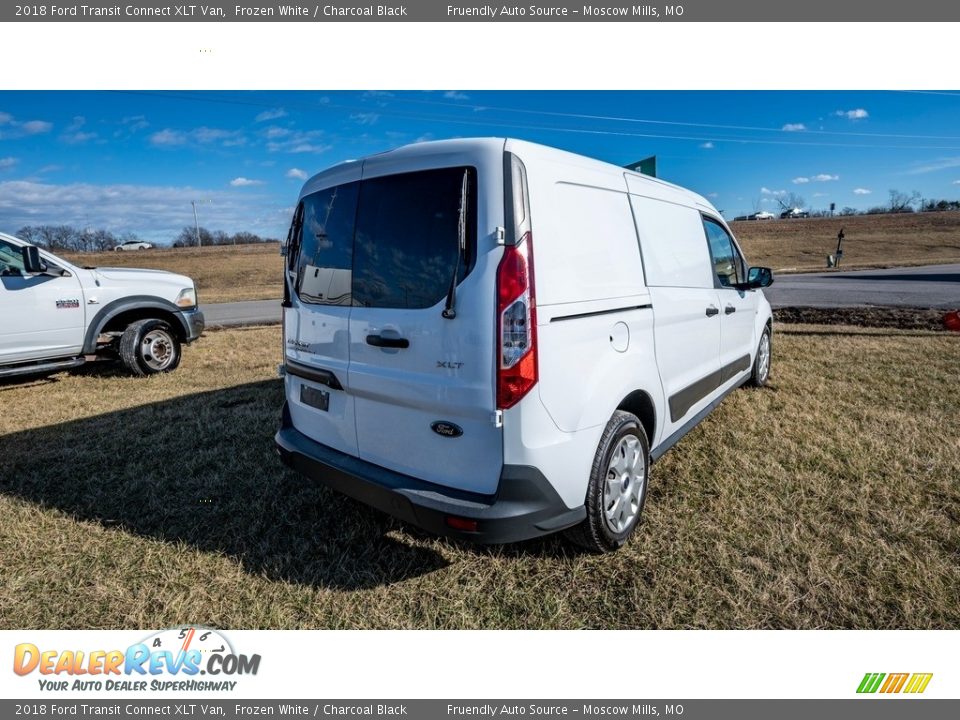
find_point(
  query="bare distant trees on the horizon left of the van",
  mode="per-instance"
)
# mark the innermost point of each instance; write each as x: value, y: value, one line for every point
x: 66, y: 238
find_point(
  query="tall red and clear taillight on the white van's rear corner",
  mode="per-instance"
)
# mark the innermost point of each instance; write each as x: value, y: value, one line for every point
x: 516, y: 324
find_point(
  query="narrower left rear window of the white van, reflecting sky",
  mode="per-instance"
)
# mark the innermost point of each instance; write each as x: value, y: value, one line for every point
x: 325, y: 243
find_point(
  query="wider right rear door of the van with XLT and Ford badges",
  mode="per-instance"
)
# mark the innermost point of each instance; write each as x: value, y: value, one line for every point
x: 424, y: 384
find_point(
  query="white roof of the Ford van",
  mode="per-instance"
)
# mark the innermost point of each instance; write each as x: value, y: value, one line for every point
x: 522, y: 148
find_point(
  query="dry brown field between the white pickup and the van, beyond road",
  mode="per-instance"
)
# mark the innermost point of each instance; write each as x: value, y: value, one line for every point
x: 223, y: 273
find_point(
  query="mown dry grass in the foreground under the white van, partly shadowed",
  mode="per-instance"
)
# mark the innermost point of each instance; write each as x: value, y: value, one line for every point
x: 829, y: 499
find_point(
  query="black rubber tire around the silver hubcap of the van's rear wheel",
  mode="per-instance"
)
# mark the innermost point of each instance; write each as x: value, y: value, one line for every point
x: 595, y: 533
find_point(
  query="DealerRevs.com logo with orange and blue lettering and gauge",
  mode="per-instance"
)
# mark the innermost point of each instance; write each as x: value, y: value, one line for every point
x: 171, y: 660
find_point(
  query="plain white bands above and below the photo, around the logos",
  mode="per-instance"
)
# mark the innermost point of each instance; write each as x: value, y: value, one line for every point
x: 639, y: 664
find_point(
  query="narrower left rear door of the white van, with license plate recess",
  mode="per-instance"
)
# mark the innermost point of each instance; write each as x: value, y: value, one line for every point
x: 316, y: 321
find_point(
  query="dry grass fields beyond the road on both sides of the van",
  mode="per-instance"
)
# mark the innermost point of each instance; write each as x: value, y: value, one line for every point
x: 253, y: 272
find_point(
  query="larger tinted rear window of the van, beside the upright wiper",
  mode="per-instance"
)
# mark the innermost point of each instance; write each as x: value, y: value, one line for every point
x: 407, y: 237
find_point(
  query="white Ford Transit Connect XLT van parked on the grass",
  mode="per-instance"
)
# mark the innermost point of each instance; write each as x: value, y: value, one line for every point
x: 493, y: 339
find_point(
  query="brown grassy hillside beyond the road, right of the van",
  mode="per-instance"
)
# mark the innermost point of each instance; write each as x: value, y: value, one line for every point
x: 870, y: 241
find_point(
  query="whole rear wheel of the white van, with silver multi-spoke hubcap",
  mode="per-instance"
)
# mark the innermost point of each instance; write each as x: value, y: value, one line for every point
x: 618, y: 485
